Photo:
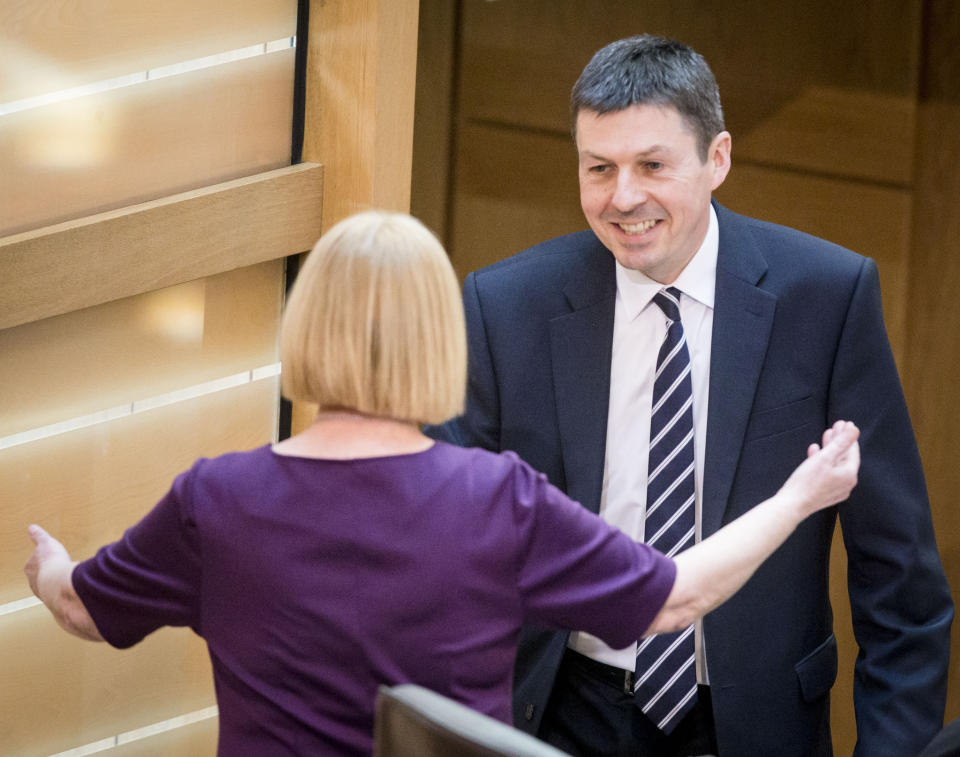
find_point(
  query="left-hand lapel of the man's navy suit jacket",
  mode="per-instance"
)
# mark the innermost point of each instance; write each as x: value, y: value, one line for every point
x: 580, y: 346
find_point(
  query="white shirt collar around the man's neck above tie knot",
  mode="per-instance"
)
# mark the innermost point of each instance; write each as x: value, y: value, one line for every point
x: 697, y: 280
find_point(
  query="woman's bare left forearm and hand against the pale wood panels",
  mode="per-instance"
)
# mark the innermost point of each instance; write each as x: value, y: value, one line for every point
x: 48, y: 571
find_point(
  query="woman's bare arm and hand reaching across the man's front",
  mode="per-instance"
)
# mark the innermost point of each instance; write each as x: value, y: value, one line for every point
x: 712, y: 571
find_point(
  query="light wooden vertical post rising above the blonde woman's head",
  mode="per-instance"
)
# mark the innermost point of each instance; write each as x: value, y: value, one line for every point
x: 361, y: 79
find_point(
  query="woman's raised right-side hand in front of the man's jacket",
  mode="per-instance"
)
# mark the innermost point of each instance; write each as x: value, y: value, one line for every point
x: 829, y: 473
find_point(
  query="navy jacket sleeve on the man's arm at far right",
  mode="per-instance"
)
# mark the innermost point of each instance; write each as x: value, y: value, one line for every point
x: 899, y: 597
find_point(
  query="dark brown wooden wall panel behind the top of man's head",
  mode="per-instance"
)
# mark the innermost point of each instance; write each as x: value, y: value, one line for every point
x: 519, y: 61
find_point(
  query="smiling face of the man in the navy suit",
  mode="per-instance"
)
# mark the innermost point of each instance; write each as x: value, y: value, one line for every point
x: 643, y: 188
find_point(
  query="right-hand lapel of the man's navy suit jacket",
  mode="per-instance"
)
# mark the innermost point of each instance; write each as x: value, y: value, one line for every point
x: 742, y: 319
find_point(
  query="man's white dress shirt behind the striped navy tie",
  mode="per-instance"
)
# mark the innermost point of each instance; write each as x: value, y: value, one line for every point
x: 638, y: 331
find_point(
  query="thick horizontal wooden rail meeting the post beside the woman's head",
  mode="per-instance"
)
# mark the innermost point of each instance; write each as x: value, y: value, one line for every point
x: 157, y: 244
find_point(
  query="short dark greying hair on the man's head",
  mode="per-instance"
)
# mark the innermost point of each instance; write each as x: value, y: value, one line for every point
x: 649, y: 70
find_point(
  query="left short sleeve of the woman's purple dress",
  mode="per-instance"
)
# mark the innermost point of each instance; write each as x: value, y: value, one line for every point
x: 150, y: 577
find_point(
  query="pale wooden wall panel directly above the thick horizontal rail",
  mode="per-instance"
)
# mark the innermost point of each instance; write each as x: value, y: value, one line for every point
x: 134, y: 144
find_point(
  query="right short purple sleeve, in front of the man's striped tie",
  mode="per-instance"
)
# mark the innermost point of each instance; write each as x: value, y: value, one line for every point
x: 578, y: 572
